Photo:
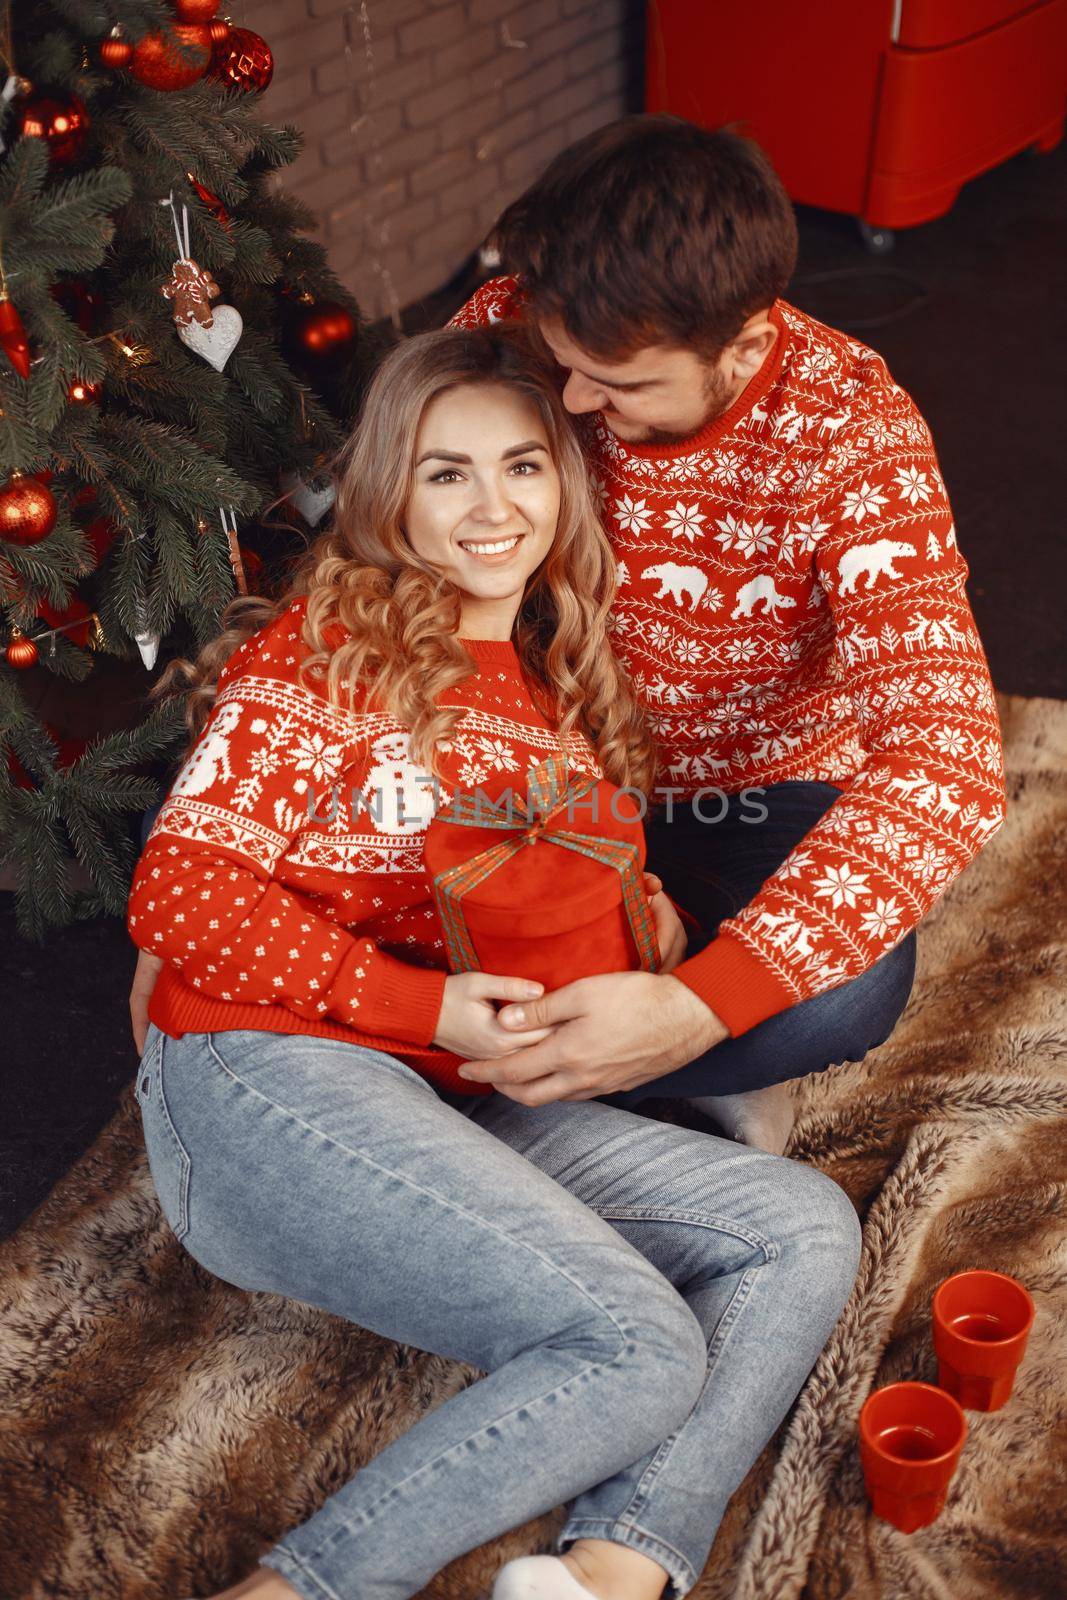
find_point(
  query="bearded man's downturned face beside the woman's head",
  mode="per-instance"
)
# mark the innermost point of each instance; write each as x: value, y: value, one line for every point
x: 661, y: 396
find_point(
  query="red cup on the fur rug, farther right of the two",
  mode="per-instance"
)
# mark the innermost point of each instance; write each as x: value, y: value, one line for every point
x: 981, y: 1329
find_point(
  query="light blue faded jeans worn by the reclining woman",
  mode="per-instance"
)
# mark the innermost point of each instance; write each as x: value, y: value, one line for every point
x: 644, y: 1300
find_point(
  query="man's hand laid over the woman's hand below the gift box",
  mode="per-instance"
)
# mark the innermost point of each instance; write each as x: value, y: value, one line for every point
x: 609, y: 1034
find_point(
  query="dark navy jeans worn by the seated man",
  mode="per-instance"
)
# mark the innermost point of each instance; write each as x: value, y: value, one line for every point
x: 714, y: 870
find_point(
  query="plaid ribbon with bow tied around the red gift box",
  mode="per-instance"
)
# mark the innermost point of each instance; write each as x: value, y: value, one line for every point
x: 548, y: 794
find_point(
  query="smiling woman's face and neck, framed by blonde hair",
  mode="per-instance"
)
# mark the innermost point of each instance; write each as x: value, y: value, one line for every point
x: 486, y: 500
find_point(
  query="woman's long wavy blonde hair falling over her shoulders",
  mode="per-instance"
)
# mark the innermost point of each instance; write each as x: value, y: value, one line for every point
x: 399, y: 615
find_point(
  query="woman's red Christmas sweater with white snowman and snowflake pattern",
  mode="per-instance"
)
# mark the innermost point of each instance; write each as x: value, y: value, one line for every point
x: 284, y: 881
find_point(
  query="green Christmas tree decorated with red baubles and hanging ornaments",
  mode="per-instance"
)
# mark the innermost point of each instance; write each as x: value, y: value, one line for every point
x: 177, y: 361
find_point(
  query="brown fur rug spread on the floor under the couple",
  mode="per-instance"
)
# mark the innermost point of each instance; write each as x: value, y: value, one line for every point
x: 159, y: 1430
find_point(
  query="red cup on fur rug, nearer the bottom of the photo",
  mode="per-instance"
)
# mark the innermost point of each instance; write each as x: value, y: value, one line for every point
x: 911, y: 1438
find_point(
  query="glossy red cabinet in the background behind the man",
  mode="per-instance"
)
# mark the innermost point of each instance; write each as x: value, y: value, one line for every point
x: 879, y: 108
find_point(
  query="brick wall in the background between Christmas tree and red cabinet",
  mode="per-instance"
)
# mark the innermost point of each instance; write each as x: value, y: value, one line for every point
x: 425, y: 118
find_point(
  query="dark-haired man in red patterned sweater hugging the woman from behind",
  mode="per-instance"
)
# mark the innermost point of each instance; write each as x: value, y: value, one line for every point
x: 791, y: 609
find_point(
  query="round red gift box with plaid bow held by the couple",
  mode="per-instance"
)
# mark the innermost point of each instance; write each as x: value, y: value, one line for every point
x: 545, y: 886
